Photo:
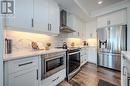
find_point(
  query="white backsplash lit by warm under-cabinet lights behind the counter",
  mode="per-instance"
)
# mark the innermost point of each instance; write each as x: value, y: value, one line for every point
x: 22, y: 40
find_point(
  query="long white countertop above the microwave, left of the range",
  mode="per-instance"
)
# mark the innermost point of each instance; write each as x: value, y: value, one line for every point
x: 25, y: 54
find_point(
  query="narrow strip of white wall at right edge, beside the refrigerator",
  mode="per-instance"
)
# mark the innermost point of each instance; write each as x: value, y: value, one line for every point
x: 128, y: 29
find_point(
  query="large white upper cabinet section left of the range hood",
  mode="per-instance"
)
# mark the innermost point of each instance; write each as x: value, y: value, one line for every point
x: 40, y: 16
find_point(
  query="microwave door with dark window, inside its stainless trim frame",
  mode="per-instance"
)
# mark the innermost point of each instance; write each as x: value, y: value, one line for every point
x: 53, y: 65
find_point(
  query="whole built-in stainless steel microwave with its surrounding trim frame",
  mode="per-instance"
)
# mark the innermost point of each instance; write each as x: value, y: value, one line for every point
x: 52, y: 63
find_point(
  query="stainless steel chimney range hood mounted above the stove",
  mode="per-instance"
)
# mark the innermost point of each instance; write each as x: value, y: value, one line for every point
x: 63, y: 23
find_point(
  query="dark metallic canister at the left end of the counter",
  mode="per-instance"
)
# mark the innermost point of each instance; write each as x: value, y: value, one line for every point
x: 8, y: 46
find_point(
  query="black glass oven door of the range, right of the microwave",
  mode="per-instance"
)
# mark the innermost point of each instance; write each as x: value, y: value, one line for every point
x: 74, y: 61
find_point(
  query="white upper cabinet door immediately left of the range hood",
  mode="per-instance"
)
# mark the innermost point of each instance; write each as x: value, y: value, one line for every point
x: 54, y: 16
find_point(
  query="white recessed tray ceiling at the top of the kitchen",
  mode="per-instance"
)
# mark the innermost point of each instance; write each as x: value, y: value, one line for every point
x: 84, y: 8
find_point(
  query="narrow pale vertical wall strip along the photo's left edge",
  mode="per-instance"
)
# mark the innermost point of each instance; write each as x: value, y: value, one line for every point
x: 1, y: 53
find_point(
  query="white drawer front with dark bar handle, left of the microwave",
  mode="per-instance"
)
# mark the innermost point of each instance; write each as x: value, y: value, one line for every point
x: 21, y: 64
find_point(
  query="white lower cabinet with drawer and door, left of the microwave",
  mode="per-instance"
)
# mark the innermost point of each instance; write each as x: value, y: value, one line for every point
x: 22, y: 72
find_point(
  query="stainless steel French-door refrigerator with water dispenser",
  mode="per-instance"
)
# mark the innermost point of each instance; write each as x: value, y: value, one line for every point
x: 110, y: 42
